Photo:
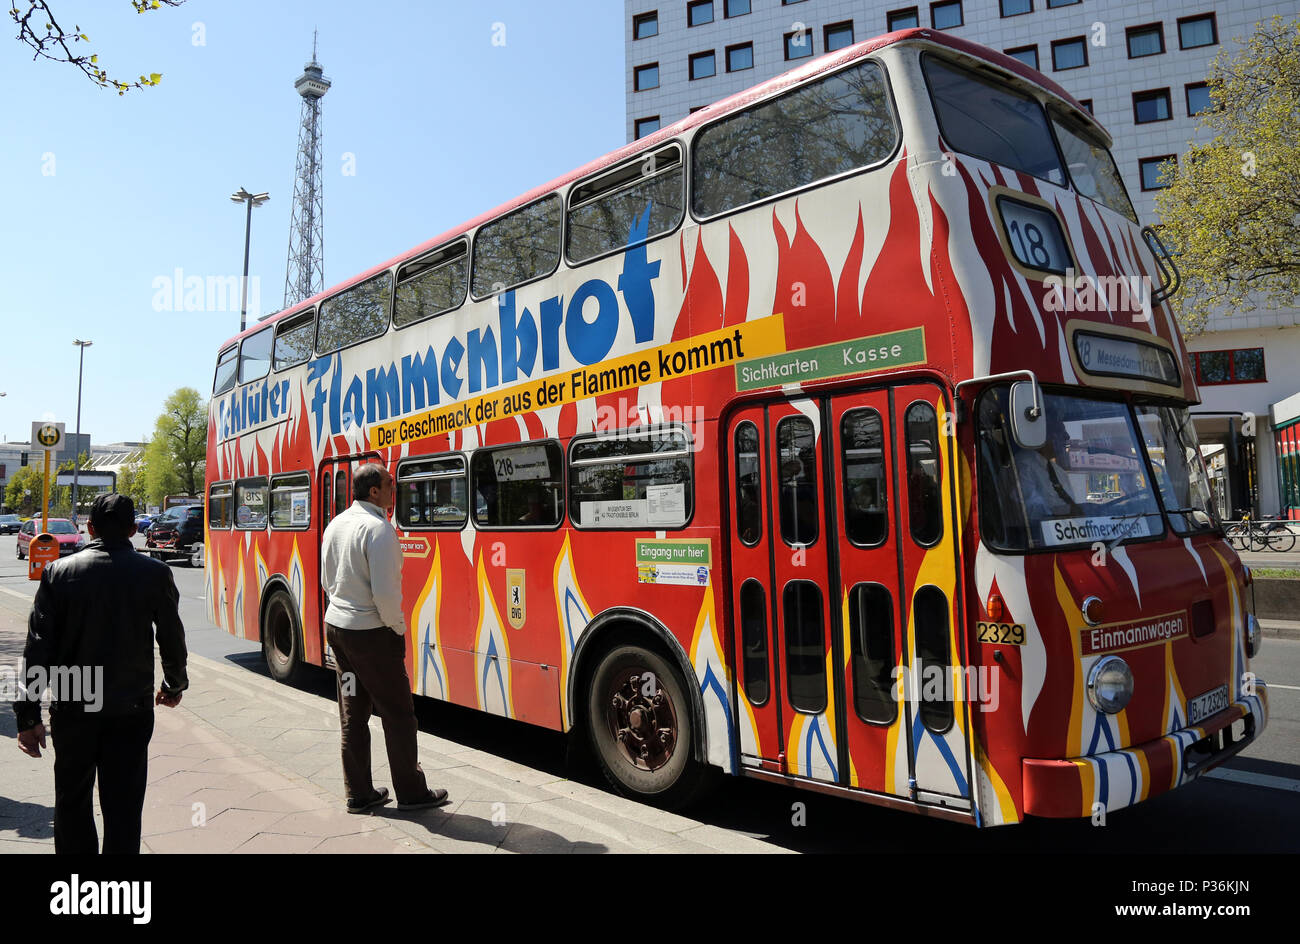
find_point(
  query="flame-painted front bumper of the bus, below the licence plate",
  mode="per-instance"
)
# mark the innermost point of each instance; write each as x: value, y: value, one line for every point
x: 1090, y: 786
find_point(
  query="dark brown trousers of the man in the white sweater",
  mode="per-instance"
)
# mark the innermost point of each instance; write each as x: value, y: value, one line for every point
x: 372, y: 679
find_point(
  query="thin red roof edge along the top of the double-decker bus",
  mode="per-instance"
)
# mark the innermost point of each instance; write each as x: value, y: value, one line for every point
x: 733, y: 103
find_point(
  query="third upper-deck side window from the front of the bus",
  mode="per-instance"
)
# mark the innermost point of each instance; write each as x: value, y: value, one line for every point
x: 518, y: 249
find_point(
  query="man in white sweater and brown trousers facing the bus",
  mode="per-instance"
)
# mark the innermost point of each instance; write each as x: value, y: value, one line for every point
x: 362, y: 574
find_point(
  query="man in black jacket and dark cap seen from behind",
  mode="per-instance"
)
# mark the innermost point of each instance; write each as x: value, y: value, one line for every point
x: 90, y: 640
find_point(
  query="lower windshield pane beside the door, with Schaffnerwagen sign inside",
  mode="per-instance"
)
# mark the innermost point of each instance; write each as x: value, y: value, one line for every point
x: 1089, y: 482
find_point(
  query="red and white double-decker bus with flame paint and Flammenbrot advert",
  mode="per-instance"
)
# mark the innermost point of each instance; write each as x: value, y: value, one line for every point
x: 837, y: 436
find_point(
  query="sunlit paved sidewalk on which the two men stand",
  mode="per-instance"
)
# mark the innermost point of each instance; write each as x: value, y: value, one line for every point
x: 249, y: 767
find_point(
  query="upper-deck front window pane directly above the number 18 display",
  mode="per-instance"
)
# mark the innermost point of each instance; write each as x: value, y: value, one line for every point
x: 993, y: 122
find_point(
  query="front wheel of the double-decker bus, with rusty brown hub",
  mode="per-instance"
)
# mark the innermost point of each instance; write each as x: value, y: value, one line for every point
x: 642, y: 728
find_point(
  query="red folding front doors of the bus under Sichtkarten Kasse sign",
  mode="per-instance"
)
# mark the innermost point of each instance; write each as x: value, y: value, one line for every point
x: 843, y: 588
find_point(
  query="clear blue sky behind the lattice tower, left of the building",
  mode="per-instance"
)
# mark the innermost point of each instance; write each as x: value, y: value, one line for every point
x: 439, y: 111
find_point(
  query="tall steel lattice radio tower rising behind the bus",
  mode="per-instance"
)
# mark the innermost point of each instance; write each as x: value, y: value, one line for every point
x: 305, y: 274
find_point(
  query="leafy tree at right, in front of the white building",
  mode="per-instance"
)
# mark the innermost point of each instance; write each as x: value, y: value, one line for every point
x: 1232, y: 210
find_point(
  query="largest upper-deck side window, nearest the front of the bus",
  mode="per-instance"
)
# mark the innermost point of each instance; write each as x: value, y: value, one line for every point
x: 820, y: 131
